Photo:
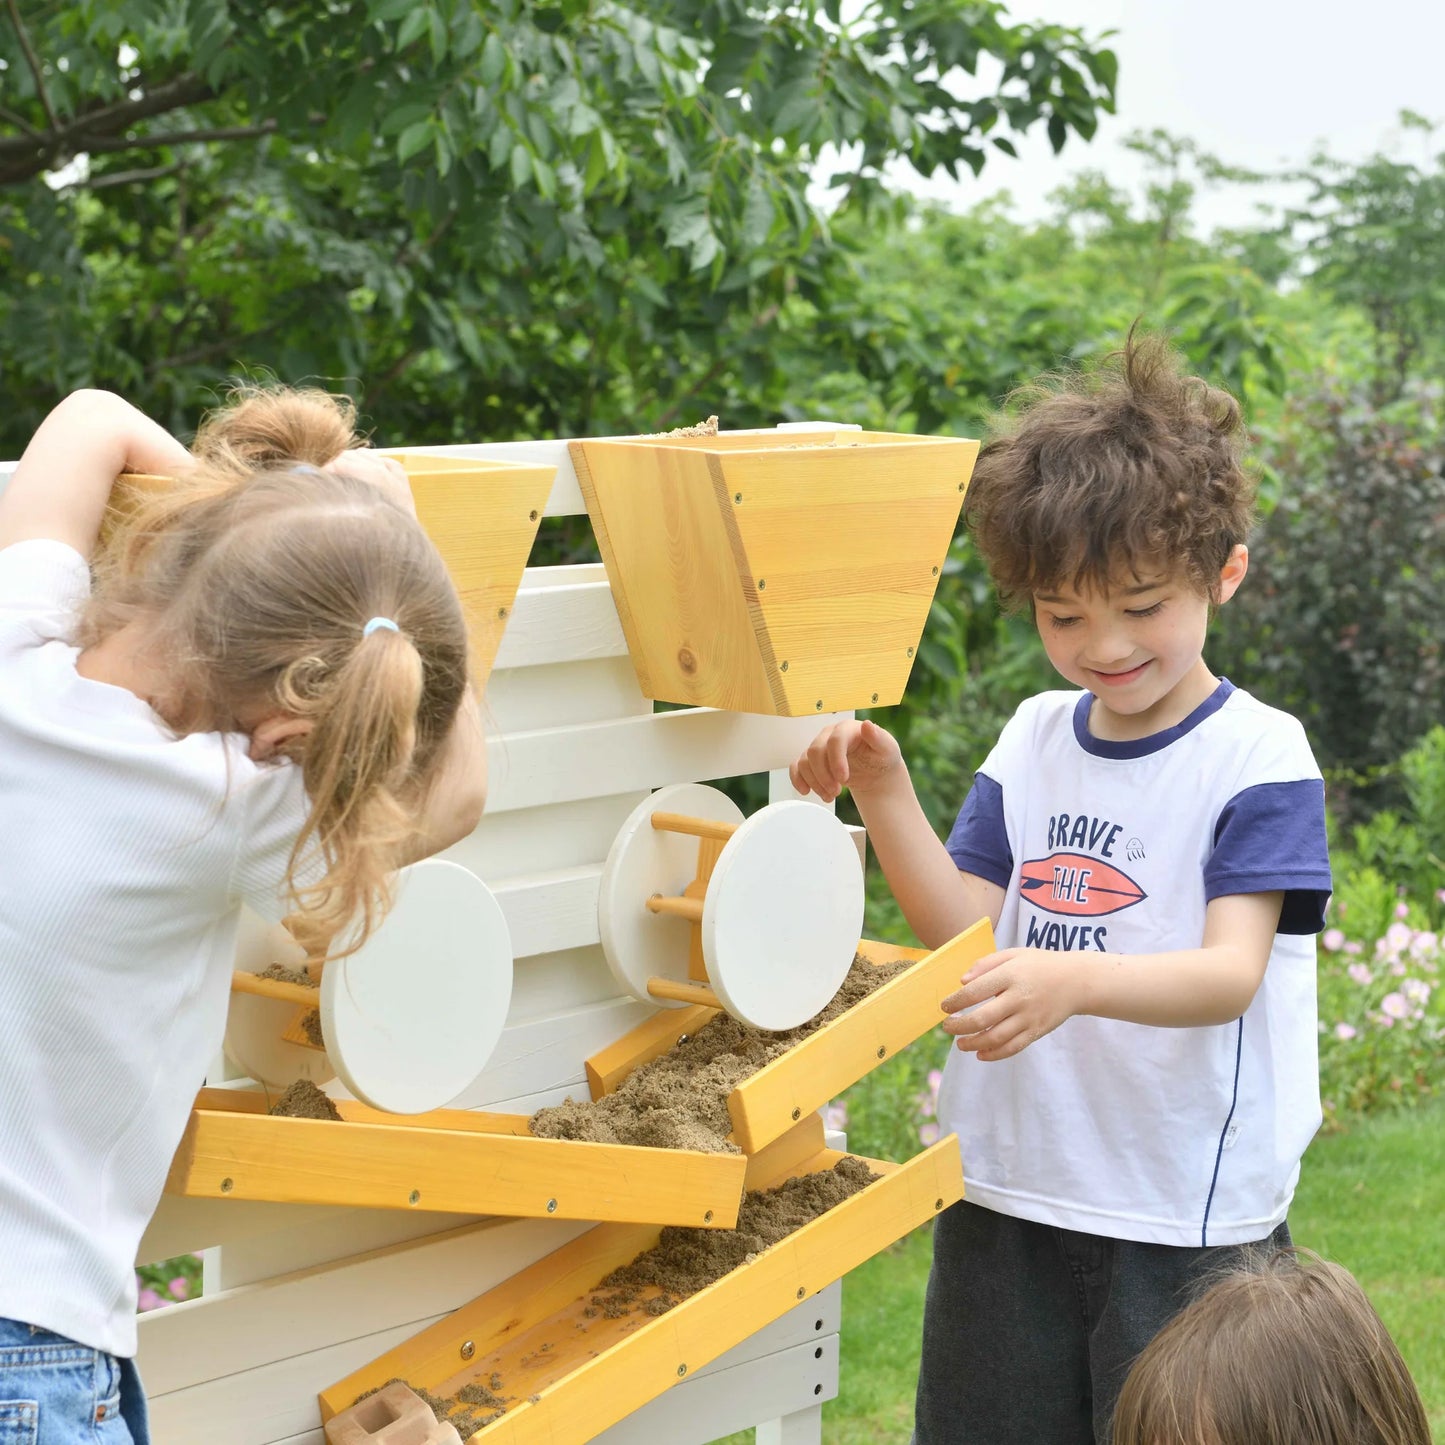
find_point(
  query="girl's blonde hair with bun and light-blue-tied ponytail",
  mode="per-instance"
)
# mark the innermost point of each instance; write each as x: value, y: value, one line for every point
x: 255, y: 577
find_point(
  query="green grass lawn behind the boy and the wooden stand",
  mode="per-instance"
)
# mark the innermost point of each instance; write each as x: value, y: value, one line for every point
x: 1372, y: 1200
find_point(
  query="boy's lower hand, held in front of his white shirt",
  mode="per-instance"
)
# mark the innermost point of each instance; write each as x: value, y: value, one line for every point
x: 1017, y: 996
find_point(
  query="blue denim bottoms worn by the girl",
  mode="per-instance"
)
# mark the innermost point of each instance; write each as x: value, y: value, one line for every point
x: 57, y: 1392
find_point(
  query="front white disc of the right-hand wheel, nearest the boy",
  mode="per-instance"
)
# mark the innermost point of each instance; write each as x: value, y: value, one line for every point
x: 784, y: 915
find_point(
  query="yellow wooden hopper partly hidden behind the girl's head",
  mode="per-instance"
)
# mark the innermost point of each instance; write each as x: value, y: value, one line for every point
x: 482, y: 515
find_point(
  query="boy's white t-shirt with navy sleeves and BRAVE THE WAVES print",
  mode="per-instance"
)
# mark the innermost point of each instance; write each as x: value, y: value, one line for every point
x: 1170, y: 1136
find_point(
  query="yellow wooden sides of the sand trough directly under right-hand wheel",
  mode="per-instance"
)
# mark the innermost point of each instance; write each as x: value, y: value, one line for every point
x: 823, y: 1066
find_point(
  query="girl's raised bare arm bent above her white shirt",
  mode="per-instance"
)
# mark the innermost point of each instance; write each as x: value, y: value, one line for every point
x: 63, y: 483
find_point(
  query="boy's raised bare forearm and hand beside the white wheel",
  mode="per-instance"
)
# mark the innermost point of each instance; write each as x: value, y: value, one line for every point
x: 937, y: 898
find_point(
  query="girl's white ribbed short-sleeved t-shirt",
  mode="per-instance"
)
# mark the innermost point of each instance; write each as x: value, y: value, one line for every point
x: 125, y: 858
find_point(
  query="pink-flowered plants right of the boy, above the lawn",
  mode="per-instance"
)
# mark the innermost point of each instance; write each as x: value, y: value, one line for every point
x: 1382, y: 1012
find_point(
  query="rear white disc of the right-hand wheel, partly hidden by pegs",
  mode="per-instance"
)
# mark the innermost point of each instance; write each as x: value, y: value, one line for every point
x: 642, y: 862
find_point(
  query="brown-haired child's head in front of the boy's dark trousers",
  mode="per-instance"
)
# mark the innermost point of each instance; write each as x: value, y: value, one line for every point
x: 1278, y: 1353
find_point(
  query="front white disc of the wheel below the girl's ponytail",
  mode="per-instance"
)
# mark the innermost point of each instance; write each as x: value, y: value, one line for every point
x: 413, y: 1018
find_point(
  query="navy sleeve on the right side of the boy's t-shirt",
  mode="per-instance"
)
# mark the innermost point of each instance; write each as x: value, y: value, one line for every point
x: 1272, y: 839
